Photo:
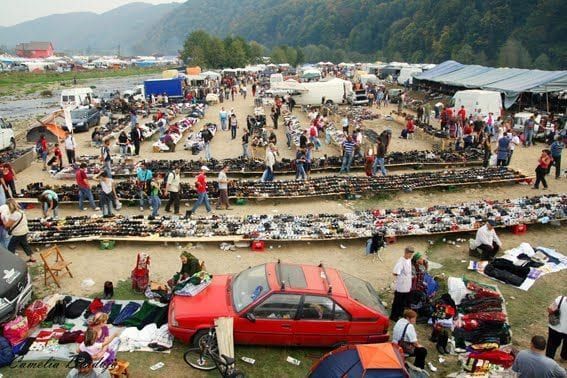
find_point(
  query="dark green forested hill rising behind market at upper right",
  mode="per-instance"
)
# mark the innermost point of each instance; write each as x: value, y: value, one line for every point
x: 520, y: 33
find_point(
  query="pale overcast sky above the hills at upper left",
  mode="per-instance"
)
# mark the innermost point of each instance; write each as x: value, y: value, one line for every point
x: 16, y: 11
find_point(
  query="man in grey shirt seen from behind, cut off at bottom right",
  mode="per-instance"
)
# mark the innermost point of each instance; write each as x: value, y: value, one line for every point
x: 533, y: 363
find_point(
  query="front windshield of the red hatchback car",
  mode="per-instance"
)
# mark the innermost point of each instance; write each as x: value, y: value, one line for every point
x: 248, y: 286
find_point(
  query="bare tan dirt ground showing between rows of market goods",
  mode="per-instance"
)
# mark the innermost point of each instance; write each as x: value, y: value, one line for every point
x: 88, y: 262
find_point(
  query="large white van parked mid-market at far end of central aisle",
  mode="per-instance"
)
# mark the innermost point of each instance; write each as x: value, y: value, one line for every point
x: 334, y: 91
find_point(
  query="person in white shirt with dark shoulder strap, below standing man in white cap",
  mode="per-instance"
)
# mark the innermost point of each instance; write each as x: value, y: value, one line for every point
x: 405, y: 336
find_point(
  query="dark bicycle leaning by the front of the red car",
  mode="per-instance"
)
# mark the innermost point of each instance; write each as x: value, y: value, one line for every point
x: 206, y: 357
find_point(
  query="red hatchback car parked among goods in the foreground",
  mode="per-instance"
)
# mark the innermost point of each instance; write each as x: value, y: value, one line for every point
x: 284, y: 304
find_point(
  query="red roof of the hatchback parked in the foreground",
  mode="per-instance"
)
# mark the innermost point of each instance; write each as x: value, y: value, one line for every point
x: 318, y: 279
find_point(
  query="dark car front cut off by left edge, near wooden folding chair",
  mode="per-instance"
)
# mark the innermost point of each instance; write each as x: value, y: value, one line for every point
x: 15, y: 285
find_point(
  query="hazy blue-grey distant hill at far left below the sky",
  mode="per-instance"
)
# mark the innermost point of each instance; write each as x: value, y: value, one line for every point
x: 87, y: 32
